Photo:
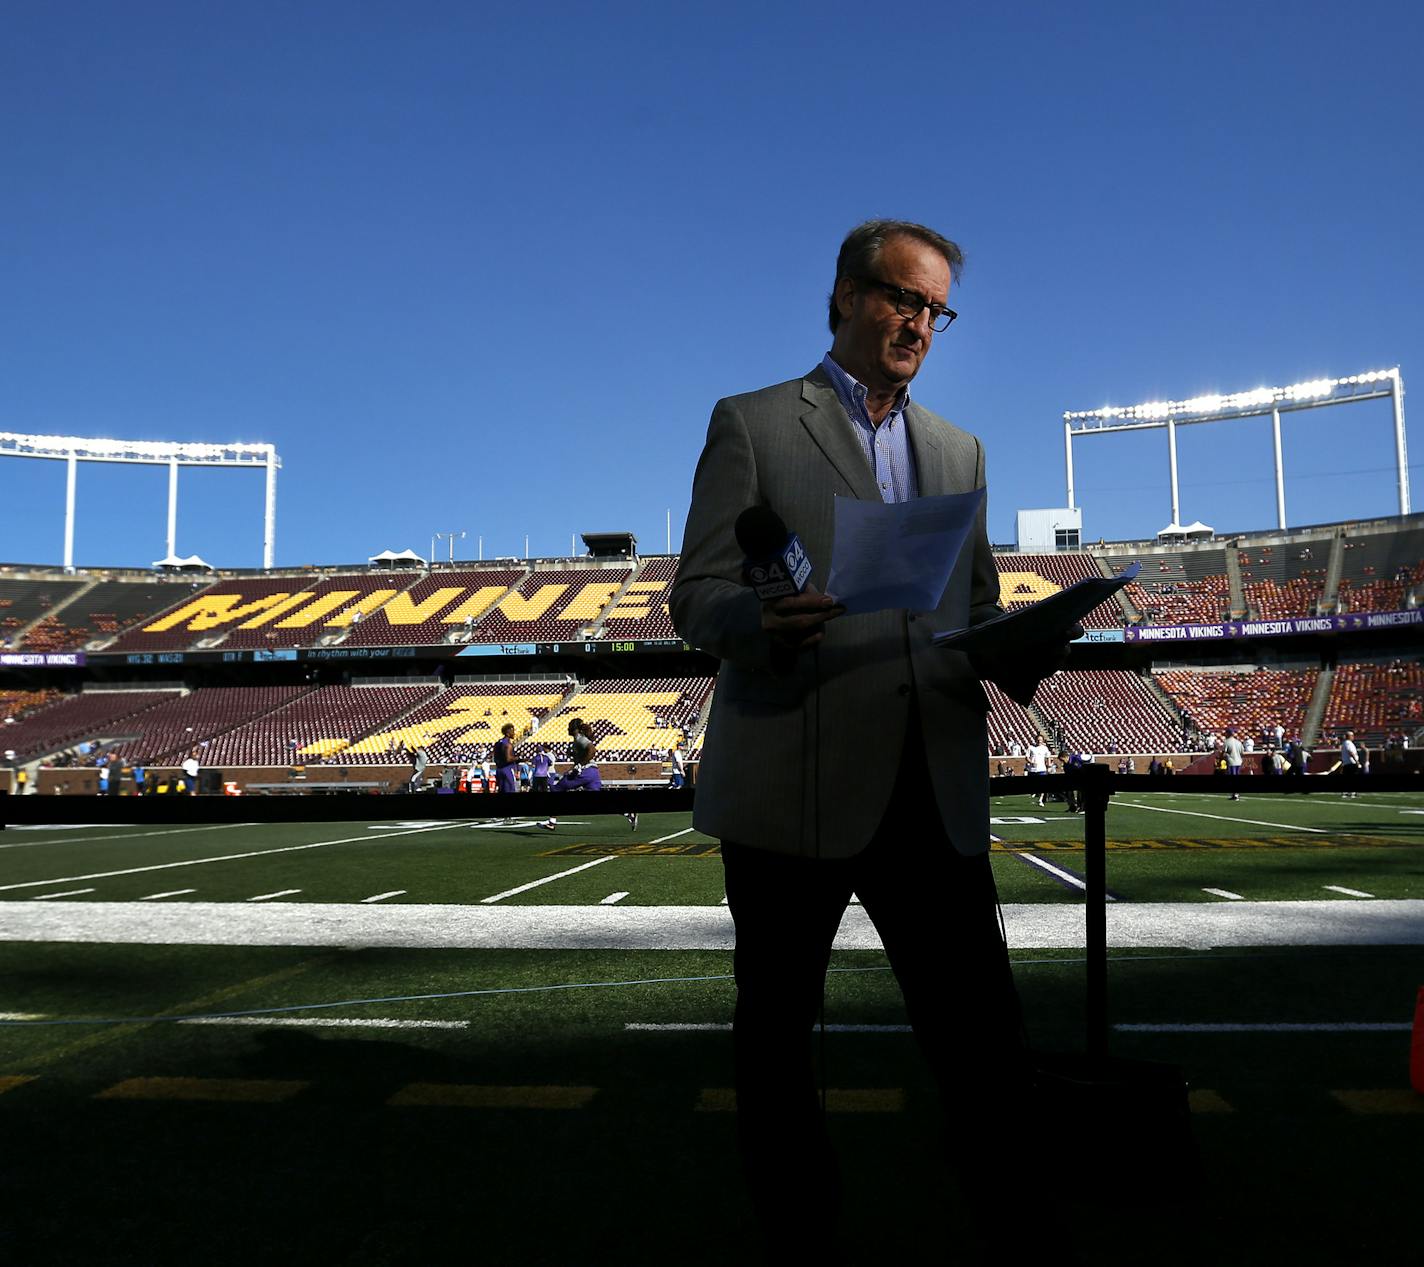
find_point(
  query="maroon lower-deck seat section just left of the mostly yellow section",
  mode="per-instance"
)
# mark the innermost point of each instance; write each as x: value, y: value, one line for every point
x: 315, y: 727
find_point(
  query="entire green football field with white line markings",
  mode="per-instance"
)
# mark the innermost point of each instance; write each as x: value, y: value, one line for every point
x: 429, y: 1041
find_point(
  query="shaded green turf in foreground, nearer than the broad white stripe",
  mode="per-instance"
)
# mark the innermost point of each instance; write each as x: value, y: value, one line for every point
x: 642, y: 1177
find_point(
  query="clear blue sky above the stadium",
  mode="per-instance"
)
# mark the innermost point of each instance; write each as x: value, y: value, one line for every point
x: 488, y: 268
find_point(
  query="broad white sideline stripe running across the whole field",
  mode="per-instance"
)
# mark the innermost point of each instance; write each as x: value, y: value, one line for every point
x: 1198, y: 926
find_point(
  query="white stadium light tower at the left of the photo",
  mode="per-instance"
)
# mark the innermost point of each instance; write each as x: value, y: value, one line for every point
x: 76, y: 449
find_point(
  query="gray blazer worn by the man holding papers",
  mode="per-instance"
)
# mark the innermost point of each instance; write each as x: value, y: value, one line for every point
x: 802, y: 761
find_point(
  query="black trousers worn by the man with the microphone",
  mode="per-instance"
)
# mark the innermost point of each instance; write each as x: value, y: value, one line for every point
x: 938, y: 920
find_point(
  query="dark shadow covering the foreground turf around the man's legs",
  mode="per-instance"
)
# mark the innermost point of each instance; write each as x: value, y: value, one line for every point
x: 642, y: 1177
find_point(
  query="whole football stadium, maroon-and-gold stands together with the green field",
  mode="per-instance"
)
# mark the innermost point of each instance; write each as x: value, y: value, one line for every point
x: 313, y: 974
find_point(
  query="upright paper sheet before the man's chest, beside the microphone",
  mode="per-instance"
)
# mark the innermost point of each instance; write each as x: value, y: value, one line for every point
x: 899, y: 554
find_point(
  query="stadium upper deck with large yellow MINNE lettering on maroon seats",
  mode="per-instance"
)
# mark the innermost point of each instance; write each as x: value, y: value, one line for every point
x: 1338, y: 570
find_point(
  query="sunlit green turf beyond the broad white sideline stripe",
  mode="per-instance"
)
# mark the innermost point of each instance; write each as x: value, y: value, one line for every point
x: 1161, y: 849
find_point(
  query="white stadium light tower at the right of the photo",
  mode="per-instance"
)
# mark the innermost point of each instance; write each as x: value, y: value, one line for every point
x: 1170, y: 415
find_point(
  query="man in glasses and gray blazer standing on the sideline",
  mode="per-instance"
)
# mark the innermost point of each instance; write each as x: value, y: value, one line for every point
x: 845, y: 754
